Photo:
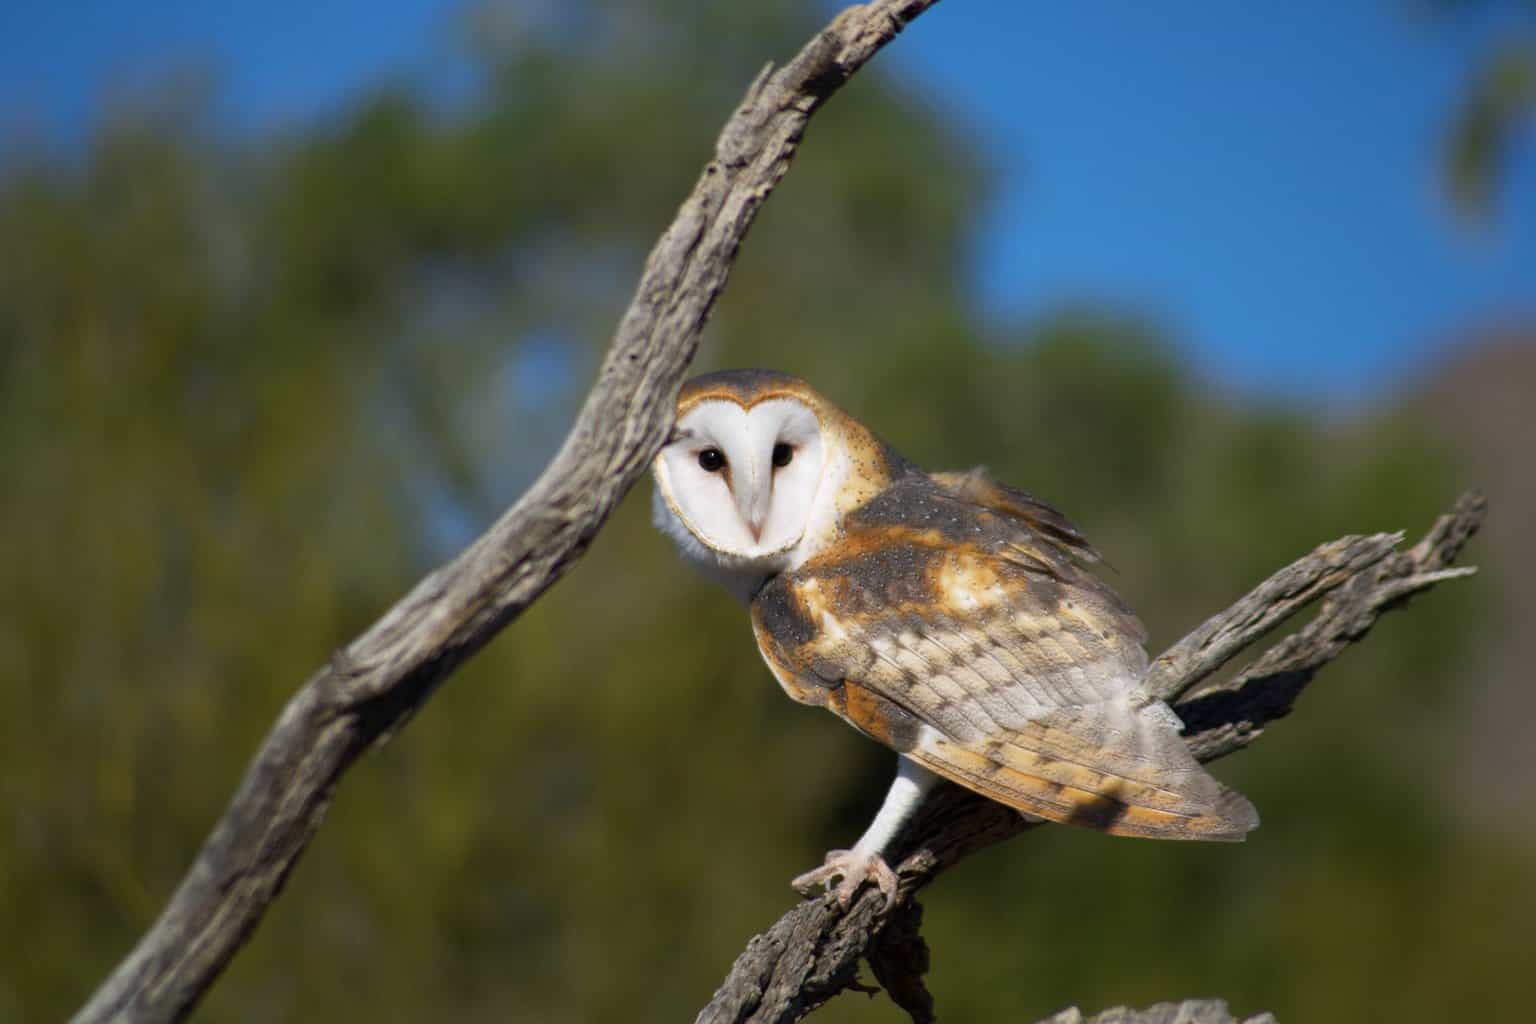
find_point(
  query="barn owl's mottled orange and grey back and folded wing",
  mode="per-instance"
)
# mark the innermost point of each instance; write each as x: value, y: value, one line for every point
x: 956, y: 624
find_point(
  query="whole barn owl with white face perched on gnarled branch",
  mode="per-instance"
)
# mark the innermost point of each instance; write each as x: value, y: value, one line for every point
x: 944, y: 615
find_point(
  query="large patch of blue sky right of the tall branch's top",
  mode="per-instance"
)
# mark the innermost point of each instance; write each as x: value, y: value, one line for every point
x: 1260, y: 176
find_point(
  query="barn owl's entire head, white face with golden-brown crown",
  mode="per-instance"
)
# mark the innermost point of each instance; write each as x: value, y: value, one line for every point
x: 755, y: 474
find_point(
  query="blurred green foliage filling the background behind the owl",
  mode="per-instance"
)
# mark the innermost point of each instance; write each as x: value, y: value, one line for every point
x: 250, y: 392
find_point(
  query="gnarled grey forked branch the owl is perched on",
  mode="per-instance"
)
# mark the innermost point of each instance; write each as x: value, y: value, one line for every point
x: 813, y: 953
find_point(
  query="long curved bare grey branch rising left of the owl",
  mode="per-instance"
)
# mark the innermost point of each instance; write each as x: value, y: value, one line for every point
x: 379, y: 681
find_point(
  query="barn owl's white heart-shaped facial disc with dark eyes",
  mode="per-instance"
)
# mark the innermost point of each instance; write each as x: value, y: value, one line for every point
x: 743, y: 481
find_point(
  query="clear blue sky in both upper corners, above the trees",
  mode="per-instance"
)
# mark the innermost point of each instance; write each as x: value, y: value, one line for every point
x: 1260, y: 177
